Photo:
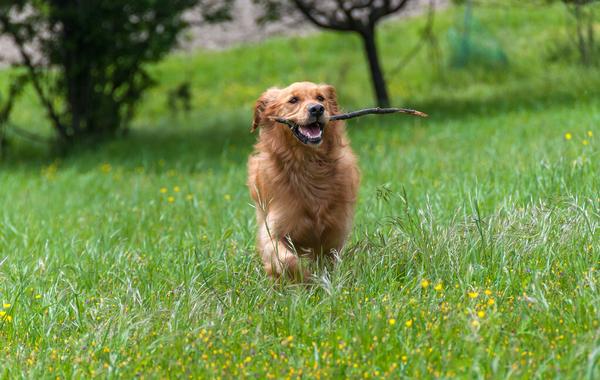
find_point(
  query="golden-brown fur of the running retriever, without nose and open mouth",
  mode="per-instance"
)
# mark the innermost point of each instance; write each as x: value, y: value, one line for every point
x: 304, y: 194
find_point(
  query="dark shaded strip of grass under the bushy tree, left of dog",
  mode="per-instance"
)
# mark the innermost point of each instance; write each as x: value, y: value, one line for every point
x: 170, y: 144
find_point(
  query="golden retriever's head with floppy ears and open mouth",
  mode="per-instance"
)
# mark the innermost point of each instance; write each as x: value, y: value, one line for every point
x: 305, y: 106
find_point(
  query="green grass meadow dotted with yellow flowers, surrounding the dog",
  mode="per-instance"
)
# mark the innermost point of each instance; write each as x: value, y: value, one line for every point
x: 137, y: 258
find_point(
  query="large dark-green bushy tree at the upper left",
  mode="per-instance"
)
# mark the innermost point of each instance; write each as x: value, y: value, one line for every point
x: 89, y: 67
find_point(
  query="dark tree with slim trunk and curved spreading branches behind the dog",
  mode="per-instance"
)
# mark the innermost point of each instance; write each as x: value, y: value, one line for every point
x: 358, y: 16
